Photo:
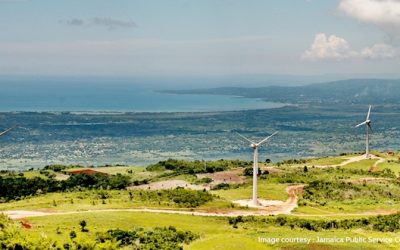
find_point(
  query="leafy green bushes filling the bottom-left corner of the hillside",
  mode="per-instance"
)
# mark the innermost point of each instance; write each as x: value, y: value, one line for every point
x: 13, y: 237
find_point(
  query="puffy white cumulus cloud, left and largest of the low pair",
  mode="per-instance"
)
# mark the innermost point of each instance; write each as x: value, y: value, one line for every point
x: 328, y: 48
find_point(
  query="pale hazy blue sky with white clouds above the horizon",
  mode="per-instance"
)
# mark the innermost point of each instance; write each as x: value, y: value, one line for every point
x: 199, y: 37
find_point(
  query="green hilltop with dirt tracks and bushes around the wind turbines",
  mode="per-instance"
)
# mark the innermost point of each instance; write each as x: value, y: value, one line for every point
x: 192, y: 204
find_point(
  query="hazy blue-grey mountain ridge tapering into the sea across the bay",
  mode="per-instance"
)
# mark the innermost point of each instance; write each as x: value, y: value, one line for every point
x: 358, y: 91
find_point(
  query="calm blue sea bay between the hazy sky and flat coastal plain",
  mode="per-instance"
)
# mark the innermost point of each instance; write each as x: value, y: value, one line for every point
x: 83, y: 95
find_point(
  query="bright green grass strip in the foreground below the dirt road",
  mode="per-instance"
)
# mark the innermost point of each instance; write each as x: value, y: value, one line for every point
x: 215, y: 233
